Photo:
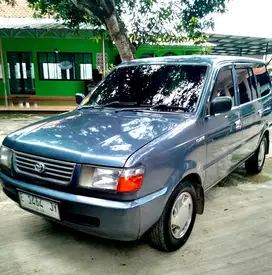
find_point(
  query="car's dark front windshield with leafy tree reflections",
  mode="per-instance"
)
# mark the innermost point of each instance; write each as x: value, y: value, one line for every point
x: 177, y: 86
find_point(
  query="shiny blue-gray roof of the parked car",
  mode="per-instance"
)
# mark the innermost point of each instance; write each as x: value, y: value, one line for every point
x: 194, y: 59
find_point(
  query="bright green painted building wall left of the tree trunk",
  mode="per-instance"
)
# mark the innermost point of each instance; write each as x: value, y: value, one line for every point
x: 51, y: 87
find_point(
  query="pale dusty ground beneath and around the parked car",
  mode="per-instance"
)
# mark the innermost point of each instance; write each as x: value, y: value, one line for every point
x: 233, y: 236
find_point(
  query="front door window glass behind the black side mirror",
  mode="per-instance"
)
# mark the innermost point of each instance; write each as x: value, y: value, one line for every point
x: 224, y: 84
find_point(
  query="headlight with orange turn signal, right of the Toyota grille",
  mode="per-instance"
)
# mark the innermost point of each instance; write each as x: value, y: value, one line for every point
x: 120, y: 180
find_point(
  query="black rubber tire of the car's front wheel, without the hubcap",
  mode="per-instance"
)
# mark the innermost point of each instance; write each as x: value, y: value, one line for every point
x: 160, y: 235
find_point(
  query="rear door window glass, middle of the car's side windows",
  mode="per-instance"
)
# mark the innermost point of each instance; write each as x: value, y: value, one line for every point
x: 243, y: 85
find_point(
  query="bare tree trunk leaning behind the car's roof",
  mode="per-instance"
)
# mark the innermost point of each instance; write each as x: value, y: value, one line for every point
x: 119, y: 36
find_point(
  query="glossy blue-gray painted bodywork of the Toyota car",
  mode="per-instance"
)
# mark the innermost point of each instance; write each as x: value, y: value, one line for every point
x: 171, y: 147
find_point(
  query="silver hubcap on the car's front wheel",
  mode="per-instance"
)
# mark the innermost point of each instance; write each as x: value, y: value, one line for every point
x: 181, y: 215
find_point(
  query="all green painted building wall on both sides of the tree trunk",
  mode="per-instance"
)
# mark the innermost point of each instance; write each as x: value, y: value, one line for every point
x: 70, y: 87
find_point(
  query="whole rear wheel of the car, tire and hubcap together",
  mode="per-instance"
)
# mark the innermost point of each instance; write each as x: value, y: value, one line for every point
x: 255, y: 164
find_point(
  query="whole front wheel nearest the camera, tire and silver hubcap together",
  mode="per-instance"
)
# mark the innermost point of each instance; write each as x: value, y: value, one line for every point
x: 176, y: 223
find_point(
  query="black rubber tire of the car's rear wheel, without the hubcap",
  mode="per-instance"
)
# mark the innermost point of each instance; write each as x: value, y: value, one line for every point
x: 252, y: 164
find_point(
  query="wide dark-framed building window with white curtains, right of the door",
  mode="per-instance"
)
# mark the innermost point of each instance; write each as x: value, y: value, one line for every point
x: 65, y: 66
